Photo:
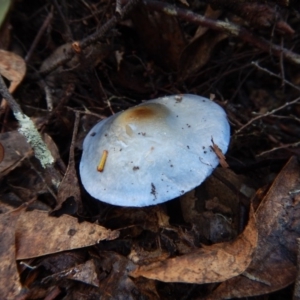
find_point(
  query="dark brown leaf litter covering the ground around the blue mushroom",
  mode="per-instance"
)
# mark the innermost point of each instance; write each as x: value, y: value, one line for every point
x: 94, y: 250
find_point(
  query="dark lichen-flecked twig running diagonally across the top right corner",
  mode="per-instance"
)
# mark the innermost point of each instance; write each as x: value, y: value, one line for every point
x: 230, y: 28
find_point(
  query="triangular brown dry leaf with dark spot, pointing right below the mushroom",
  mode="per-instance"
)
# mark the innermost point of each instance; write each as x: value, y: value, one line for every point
x: 39, y: 234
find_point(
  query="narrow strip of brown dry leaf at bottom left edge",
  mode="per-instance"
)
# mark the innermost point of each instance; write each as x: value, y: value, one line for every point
x: 10, y: 285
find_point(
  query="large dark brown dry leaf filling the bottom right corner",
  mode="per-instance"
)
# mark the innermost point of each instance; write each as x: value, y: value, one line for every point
x: 274, y: 262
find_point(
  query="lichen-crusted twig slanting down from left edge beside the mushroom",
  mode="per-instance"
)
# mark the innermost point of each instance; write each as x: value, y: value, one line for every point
x: 28, y: 129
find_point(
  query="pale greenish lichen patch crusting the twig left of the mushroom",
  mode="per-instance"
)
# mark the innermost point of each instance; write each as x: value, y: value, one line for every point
x: 33, y: 137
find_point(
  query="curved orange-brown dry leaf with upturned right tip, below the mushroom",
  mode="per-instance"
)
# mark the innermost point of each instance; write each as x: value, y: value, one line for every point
x: 214, y: 263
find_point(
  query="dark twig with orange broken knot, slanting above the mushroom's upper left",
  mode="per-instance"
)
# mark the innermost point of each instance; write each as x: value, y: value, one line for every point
x: 96, y: 36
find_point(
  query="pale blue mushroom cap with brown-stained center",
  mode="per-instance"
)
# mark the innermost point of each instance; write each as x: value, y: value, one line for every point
x: 154, y: 152
